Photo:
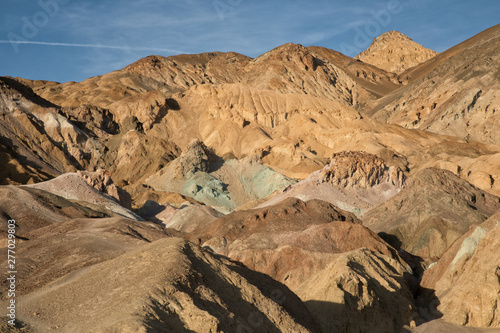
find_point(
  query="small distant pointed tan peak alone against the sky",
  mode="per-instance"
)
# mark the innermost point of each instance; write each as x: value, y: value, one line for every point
x: 395, y: 52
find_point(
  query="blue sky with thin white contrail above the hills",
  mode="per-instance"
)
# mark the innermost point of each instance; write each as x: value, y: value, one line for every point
x: 71, y: 40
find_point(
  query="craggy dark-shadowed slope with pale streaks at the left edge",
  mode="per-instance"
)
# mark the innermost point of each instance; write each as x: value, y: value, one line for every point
x: 50, y: 140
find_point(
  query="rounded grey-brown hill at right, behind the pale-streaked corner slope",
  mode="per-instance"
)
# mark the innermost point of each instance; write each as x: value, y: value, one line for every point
x: 431, y: 213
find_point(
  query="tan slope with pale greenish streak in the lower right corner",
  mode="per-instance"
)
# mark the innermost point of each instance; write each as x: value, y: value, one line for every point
x: 465, y: 282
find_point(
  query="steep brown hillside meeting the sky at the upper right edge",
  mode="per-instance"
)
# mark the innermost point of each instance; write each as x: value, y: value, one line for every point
x: 455, y: 93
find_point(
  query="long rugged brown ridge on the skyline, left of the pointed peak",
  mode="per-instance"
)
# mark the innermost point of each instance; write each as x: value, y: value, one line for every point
x: 290, y: 68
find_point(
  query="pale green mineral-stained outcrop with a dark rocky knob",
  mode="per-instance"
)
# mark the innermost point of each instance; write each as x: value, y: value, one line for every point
x: 199, y: 173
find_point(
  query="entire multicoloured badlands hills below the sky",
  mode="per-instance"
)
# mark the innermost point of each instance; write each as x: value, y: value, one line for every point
x: 300, y: 191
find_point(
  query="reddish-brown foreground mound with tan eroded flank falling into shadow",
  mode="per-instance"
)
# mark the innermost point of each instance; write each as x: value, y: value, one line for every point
x: 294, y: 241
